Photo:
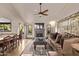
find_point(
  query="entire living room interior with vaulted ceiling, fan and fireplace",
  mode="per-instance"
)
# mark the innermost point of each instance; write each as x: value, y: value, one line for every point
x: 39, y: 29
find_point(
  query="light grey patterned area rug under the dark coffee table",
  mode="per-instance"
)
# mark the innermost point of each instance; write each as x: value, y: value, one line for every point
x: 40, y: 50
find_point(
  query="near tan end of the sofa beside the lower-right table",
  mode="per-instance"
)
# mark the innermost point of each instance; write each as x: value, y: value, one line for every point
x: 67, y: 49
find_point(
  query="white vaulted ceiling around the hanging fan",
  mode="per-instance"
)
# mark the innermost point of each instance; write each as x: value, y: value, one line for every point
x: 56, y: 11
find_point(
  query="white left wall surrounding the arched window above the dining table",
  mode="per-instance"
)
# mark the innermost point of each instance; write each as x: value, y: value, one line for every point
x: 7, y: 12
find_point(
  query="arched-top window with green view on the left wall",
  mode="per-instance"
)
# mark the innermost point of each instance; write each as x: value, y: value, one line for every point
x: 5, y: 25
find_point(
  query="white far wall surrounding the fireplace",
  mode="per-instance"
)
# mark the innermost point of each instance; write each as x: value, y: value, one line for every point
x: 37, y: 19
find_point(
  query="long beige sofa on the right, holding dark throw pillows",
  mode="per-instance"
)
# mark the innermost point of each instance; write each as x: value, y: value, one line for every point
x: 67, y: 49
